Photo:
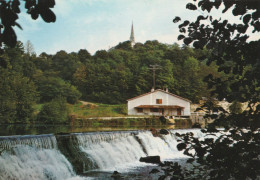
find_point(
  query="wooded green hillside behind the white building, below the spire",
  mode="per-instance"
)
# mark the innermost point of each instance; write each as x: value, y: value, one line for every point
x: 110, y: 77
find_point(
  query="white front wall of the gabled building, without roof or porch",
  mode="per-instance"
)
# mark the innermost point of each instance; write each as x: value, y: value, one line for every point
x: 150, y: 99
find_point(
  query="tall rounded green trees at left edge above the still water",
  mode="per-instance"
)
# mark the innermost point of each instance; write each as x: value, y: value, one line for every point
x: 17, y: 97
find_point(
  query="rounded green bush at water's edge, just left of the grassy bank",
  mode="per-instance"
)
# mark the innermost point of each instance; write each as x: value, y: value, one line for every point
x: 55, y: 111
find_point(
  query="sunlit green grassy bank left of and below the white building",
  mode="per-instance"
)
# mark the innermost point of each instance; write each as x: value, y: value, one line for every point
x: 96, y: 114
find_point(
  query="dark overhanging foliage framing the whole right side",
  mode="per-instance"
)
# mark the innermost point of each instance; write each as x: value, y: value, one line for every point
x: 234, y: 152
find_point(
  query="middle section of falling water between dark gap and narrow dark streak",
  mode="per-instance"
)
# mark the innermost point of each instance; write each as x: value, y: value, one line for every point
x: 112, y: 150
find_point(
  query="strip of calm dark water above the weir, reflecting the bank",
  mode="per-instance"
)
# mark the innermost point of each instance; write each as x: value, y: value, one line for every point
x: 26, y: 129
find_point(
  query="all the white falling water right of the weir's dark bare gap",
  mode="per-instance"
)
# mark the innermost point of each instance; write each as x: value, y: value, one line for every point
x: 119, y: 151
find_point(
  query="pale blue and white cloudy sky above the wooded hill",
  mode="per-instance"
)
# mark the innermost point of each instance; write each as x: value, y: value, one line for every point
x: 101, y: 24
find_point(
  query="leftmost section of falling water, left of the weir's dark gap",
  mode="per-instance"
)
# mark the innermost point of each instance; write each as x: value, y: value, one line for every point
x: 33, y: 157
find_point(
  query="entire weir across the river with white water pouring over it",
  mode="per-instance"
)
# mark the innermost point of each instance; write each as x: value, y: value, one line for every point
x: 72, y: 155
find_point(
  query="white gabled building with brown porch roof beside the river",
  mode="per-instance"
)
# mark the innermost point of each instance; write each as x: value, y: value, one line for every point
x: 159, y: 102
